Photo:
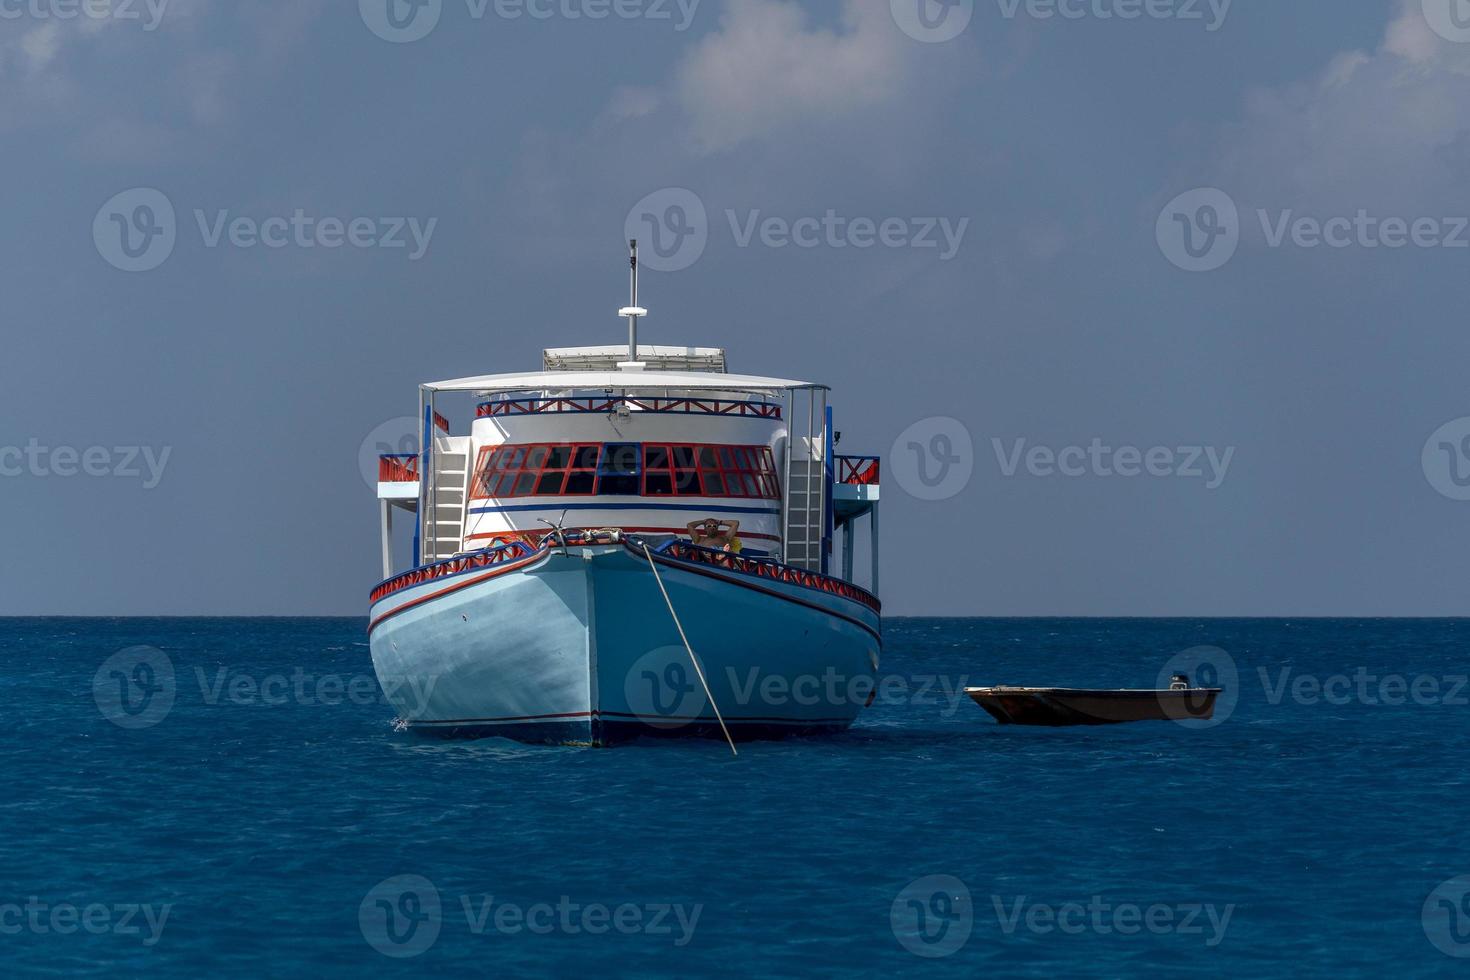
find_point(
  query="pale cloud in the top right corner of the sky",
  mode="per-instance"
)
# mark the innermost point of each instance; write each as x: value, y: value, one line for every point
x: 1385, y: 130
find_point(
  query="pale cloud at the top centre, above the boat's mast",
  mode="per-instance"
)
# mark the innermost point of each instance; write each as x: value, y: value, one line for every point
x: 767, y: 70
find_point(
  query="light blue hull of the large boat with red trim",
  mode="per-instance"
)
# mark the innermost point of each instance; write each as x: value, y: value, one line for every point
x: 581, y: 649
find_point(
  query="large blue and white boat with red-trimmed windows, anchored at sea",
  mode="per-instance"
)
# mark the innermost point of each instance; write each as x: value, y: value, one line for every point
x: 567, y: 584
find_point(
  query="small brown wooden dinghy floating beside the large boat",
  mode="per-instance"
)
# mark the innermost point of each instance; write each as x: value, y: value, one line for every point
x: 1071, y: 706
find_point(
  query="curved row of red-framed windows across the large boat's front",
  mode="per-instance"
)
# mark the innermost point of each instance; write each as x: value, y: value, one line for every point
x: 625, y: 469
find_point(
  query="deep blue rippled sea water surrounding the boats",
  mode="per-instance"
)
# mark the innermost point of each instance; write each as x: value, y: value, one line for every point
x: 264, y: 822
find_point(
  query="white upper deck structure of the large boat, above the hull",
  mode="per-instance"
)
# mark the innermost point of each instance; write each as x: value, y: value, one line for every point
x: 646, y: 447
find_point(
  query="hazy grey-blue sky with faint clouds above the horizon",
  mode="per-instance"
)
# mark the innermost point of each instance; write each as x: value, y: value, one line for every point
x: 1153, y: 308
